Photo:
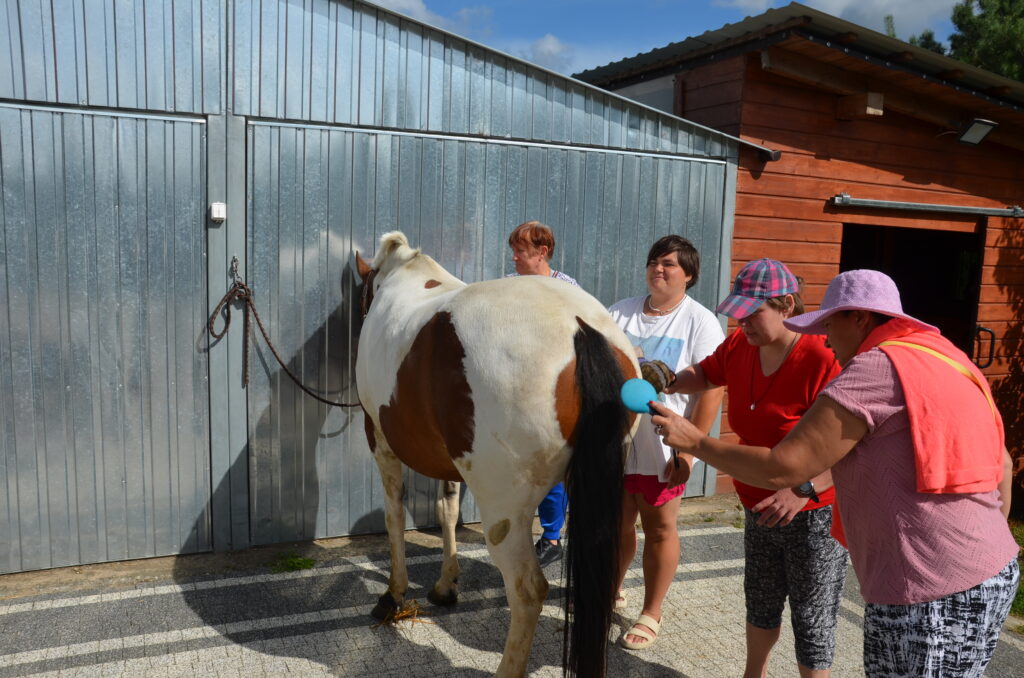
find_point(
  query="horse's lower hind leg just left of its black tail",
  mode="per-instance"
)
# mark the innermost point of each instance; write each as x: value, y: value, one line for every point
x: 511, y: 547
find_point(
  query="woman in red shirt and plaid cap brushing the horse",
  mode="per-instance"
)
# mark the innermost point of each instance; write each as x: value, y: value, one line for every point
x: 773, y: 376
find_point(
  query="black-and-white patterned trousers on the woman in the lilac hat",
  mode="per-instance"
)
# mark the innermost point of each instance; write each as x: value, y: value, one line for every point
x: 952, y: 638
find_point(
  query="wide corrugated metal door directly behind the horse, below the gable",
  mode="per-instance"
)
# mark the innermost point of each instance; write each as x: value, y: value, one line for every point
x: 317, y: 194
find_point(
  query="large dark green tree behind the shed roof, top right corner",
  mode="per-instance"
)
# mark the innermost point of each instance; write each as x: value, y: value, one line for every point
x: 991, y: 35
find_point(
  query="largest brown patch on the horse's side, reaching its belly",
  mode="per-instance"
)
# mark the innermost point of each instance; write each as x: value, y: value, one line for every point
x: 430, y: 420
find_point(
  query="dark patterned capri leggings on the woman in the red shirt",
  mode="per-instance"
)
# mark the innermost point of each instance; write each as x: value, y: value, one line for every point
x: 801, y: 562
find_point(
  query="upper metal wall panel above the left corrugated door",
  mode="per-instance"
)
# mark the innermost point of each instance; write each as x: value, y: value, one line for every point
x: 146, y: 55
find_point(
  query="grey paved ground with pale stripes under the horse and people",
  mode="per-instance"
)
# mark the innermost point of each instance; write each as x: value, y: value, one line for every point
x: 230, y: 616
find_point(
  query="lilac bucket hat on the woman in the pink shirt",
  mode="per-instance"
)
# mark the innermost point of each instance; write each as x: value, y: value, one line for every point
x: 856, y: 290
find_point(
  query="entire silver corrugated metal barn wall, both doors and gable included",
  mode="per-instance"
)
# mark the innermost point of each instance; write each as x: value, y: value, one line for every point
x: 322, y: 124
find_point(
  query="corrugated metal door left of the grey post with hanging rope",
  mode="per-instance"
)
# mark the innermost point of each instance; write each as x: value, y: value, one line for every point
x: 104, y: 396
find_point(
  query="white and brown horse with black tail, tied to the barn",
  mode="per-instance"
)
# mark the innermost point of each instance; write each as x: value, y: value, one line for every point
x: 510, y: 386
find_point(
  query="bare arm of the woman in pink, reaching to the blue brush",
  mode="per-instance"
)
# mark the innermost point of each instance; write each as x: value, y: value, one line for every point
x: 826, y: 434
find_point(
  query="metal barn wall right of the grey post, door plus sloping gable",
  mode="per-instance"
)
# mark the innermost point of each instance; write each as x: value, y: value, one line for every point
x: 474, y: 144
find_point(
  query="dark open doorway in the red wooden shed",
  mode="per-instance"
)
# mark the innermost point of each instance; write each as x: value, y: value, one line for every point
x: 938, y: 272
